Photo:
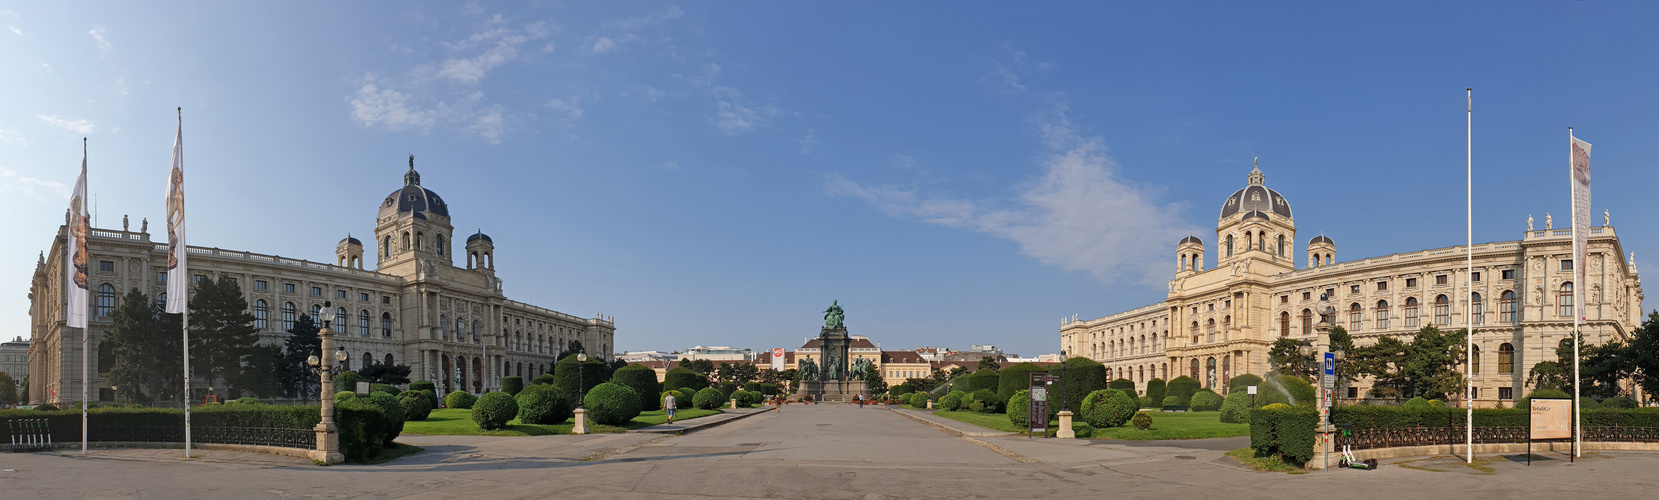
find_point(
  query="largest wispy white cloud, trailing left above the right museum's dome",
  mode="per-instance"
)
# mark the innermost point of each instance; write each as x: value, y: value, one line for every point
x: 1081, y: 215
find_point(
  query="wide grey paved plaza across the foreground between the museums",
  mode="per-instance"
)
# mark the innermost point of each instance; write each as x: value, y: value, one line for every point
x: 804, y: 453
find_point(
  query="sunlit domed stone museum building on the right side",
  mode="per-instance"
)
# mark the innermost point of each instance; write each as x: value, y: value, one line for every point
x: 1219, y: 321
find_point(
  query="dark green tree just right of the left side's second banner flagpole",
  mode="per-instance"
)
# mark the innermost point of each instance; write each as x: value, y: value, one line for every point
x: 223, y: 331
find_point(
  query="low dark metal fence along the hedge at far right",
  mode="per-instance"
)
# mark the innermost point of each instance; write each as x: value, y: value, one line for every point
x: 1365, y: 439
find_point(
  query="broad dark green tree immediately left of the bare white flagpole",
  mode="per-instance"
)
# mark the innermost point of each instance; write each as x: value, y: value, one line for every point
x: 1424, y: 368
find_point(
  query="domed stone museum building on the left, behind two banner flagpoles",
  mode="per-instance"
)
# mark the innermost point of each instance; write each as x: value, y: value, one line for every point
x: 450, y: 323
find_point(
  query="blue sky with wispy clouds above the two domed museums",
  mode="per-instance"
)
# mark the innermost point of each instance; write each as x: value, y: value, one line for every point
x: 718, y: 174
